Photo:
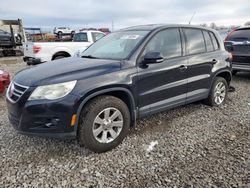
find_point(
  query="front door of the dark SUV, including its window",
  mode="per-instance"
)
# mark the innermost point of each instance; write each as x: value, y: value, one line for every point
x: 163, y: 85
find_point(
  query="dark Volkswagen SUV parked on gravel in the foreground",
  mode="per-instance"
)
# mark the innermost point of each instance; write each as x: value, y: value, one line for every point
x: 129, y: 74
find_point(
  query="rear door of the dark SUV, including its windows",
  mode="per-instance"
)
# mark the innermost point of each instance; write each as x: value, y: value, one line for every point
x: 201, y: 55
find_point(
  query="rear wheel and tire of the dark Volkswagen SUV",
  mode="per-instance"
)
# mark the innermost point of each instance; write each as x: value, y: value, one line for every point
x: 212, y: 100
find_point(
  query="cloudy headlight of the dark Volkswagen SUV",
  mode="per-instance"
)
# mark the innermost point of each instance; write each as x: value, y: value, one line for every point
x: 52, y: 92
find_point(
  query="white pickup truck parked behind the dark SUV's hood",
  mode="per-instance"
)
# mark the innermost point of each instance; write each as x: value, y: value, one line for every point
x: 39, y: 52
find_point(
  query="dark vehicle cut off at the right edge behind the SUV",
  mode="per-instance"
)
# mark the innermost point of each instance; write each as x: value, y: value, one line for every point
x: 238, y: 43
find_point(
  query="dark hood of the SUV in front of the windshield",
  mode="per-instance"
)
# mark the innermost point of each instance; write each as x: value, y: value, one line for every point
x: 64, y: 70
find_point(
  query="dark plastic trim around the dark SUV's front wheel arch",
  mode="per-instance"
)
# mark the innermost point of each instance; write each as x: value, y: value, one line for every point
x: 122, y: 93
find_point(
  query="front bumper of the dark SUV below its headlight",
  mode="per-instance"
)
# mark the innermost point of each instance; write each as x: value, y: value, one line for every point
x: 43, y: 117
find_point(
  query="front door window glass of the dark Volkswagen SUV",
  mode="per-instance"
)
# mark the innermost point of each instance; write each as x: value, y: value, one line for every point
x: 167, y: 42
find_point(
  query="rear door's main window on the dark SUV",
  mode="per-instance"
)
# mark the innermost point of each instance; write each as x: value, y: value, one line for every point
x: 195, y: 41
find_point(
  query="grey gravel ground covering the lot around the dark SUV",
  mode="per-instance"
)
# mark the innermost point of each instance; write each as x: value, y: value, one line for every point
x: 192, y: 146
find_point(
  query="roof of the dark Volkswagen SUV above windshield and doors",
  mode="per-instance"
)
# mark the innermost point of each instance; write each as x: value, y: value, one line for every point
x: 151, y: 27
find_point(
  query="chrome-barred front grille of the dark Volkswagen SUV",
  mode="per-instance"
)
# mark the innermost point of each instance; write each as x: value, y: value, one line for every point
x: 15, y: 91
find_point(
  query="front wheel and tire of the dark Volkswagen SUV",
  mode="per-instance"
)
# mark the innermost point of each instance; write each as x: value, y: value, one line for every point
x: 89, y: 122
